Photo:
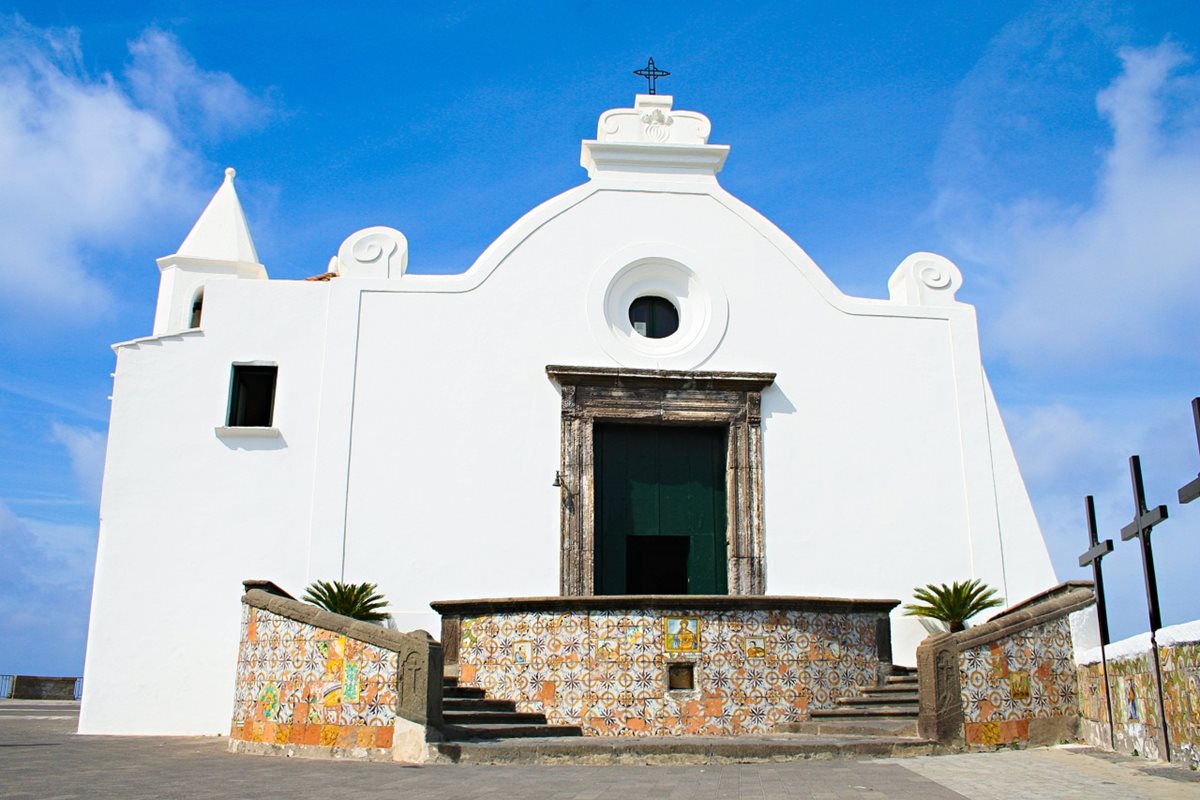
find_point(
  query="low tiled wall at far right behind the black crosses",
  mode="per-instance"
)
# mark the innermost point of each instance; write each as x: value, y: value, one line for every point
x: 1135, y: 699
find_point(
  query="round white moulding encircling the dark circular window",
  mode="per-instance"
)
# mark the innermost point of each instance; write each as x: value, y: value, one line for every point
x: 665, y: 272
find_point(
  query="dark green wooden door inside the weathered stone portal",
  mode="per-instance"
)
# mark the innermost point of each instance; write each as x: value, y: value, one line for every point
x: 661, y: 510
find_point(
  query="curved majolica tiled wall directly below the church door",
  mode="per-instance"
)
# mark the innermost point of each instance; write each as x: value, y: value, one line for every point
x: 607, y: 671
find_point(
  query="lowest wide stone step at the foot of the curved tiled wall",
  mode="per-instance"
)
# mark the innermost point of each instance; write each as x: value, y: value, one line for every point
x: 681, y: 750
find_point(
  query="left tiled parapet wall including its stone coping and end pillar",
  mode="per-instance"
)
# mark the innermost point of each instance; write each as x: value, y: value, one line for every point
x: 319, y: 684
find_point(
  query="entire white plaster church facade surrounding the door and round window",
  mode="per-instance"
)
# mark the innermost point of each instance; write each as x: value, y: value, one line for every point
x: 421, y: 436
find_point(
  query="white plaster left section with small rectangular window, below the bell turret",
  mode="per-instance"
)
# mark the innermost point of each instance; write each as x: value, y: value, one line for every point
x: 187, y: 516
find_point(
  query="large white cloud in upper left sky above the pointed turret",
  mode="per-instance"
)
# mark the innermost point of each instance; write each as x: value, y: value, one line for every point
x: 89, y: 164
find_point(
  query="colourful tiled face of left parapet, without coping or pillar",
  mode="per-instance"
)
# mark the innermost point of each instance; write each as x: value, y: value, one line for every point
x: 303, y: 685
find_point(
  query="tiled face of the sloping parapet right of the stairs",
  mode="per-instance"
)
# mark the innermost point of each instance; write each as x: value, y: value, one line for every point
x: 1016, y: 679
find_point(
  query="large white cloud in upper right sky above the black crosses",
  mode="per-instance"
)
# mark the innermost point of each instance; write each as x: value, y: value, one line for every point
x: 1114, y: 276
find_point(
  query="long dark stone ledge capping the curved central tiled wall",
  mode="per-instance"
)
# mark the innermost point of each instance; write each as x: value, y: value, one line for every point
x: 663, y: 603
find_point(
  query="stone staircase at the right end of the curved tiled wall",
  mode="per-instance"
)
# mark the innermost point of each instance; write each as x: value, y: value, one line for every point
x: 887, y: 711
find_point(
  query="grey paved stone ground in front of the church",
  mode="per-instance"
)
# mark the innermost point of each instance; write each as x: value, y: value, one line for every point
x: 41, y: 759
